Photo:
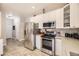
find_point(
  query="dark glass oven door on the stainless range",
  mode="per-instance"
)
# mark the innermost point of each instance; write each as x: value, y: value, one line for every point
x: 47, y: 44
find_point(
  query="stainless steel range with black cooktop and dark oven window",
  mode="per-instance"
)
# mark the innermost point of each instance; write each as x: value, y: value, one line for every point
x: 48, y: 43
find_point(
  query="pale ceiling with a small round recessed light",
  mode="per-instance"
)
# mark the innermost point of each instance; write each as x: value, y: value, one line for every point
x: 26, y: 10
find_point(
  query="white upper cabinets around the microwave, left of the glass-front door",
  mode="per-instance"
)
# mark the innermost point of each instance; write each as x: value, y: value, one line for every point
x: 56, y: 15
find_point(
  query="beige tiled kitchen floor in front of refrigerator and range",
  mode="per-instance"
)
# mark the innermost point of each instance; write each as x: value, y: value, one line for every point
x: 15, y: 48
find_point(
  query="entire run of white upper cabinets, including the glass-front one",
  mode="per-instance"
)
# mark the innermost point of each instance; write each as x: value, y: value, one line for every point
x: 66, y: 17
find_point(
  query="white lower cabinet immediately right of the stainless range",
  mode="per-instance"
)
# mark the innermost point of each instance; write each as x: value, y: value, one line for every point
x: 58, y: 46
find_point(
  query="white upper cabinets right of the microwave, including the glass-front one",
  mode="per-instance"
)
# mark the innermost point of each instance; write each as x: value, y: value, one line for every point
x: 68, y: 16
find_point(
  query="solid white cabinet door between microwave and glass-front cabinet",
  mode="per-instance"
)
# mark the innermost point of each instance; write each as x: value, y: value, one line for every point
x: 59, y: 18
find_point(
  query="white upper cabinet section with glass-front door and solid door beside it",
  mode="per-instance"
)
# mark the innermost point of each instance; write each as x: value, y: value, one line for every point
x: 71, y: 16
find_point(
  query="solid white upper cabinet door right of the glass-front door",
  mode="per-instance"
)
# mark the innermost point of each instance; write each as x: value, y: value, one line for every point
x: 74, y: 15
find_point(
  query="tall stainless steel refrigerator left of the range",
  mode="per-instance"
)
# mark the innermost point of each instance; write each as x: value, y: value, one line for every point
x: 29, y: 36
